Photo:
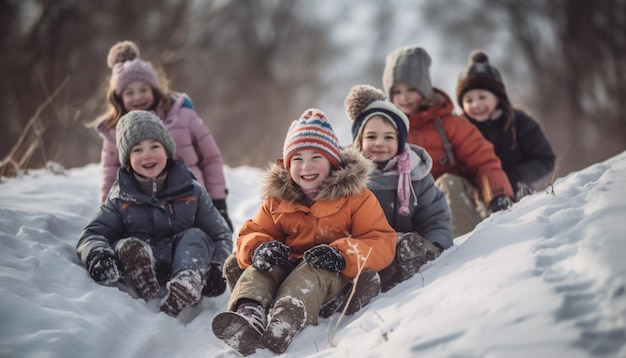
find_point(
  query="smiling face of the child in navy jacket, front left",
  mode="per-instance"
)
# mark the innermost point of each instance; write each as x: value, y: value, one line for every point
x: 148, y: 158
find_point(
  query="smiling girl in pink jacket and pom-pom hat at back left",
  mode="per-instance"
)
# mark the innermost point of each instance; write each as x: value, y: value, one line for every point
x: 134, y: 85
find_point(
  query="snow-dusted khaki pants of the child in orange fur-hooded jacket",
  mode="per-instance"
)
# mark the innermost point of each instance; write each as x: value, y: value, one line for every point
x: 295, y: 278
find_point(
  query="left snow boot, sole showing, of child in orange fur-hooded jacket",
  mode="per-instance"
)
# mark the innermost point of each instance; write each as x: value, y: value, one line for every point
x: 242, y: 330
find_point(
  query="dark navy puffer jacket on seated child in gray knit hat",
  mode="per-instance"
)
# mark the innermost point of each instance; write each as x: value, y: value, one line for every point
x: 183, y: 207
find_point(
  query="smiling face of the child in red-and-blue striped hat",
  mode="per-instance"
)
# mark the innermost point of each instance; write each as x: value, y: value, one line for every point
x: 309, y: 168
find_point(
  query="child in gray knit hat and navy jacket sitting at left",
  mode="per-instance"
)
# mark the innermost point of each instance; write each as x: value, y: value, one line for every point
x: 158, y: 225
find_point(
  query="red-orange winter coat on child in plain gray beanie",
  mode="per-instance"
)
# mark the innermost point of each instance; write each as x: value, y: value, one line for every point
x: 474, y: 156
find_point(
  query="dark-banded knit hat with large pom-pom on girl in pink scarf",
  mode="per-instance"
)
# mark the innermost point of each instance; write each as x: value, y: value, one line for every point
x: 364, y: 102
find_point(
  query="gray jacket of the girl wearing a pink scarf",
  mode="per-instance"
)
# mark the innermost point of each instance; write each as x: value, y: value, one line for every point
x: 429, y: 212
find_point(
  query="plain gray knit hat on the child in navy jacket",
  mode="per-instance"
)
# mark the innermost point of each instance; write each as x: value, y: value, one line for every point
x: 136, y: 126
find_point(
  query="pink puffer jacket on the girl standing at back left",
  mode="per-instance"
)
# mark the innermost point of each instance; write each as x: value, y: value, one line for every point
x: 194, y: 144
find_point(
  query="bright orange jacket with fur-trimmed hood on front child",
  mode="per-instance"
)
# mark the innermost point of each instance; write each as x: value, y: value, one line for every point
x: 345, y: 215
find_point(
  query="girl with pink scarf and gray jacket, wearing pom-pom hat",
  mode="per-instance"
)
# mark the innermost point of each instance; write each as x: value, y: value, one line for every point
x: 402, y: 182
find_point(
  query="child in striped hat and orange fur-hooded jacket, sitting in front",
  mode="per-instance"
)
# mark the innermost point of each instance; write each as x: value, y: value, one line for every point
x: 317, y: 225
